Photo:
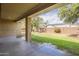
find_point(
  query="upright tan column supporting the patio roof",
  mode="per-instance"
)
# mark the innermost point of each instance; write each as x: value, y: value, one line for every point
x: 28, y: 29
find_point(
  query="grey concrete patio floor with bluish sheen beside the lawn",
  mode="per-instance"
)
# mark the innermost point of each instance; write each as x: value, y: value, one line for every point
x: 12, y: 46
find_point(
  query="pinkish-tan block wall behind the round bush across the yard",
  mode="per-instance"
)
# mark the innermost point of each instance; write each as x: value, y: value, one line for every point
x: 65, y: 30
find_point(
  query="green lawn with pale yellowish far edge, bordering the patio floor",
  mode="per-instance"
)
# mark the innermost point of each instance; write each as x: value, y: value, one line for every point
x: 61, y: 42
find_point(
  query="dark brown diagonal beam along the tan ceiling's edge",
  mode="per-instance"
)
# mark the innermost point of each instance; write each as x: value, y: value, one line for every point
x: 35, y: 9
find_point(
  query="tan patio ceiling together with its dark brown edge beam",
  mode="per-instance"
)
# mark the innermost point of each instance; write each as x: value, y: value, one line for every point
x: 17, y: 11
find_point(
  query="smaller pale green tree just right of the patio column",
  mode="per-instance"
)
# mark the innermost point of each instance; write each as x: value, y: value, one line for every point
x: 36, y: 23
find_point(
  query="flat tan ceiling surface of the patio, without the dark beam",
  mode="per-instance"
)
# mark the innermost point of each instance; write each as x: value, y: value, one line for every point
x: 11, y: 11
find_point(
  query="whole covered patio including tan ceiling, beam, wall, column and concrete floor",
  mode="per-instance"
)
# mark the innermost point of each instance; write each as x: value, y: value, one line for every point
x: 10, y: 45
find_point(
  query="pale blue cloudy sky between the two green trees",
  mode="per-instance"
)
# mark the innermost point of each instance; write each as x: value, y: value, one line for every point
x: 52, y: 17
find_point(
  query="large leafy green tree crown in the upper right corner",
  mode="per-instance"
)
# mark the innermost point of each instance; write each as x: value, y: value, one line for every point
x: 70, y: 13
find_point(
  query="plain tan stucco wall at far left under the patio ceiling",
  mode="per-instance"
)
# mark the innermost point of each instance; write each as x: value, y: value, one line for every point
x: 8, y: 28
